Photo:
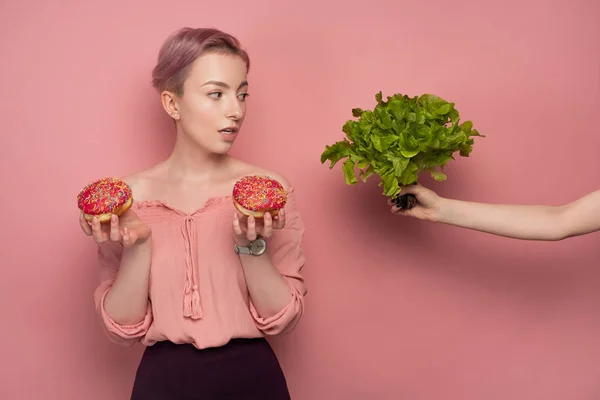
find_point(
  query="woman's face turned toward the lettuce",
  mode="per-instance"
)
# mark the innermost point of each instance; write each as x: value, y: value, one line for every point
x: 213, y: 106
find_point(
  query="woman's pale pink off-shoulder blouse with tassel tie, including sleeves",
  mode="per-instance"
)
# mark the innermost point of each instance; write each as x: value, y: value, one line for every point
x: 198, y: 292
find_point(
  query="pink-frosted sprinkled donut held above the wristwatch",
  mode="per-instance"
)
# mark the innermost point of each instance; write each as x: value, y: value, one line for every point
x: 256, y: 195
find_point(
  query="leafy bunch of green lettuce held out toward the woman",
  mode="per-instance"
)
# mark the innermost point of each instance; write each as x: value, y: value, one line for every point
x: 399, y: 139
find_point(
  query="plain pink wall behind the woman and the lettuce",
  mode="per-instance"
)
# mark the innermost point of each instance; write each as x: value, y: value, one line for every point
x: 397, y: 308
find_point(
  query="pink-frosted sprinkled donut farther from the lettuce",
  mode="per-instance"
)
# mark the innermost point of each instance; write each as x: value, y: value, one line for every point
x: 104, y: 197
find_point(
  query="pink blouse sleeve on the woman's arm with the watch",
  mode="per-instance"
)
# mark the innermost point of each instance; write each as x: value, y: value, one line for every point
x: 285, y: 248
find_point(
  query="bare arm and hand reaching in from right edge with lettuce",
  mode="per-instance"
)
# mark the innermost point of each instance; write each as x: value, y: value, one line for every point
x: 535, y: 222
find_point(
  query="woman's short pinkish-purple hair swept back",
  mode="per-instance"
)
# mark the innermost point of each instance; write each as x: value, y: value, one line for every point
x: 182, y: 48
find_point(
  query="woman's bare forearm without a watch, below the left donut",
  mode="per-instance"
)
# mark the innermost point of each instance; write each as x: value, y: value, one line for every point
x: 127, y: 300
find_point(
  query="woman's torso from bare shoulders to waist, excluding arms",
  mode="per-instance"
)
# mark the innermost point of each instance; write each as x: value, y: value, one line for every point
x: 197, y: 286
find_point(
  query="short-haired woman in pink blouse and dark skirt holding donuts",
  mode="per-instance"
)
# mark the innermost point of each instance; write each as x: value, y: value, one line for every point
x: 170, y: 276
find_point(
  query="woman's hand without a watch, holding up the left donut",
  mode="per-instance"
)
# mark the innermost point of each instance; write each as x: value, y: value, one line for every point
x: 127, y: 229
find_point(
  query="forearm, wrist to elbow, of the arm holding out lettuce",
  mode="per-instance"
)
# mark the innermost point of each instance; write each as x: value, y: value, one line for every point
x: 535, y: 222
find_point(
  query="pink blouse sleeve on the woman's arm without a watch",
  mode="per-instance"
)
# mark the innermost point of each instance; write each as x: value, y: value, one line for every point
x: 109, y: 256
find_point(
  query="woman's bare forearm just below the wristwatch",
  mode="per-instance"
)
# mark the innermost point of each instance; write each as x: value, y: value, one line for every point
x: 268, y: 289
